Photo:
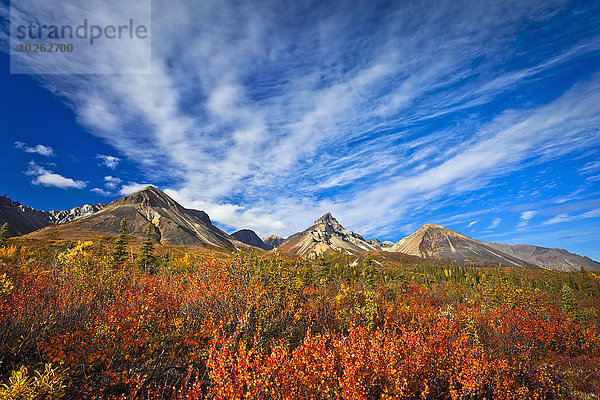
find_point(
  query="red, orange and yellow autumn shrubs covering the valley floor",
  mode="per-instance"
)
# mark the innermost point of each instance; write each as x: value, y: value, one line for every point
x: 89, y: 320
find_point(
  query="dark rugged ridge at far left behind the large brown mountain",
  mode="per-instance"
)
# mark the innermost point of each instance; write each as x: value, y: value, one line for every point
x: 24, y: 219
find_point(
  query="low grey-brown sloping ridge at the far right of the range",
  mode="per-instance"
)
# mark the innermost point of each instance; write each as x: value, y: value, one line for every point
x: 546, y: 258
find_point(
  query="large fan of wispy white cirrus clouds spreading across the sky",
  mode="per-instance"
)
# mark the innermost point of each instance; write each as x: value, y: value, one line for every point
x: 266, y: 120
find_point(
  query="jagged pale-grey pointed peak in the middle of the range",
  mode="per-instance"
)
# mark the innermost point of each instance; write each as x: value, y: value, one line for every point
x: 326, y: 234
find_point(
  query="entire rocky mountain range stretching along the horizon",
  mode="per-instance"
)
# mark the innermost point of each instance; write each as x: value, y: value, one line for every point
x: 179, y: 226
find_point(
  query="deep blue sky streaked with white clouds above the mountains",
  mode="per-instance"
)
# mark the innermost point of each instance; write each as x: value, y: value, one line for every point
x: 482, y: 116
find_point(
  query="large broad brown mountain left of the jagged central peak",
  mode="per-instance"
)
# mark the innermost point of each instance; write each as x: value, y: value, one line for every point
x: 175, y: 225
